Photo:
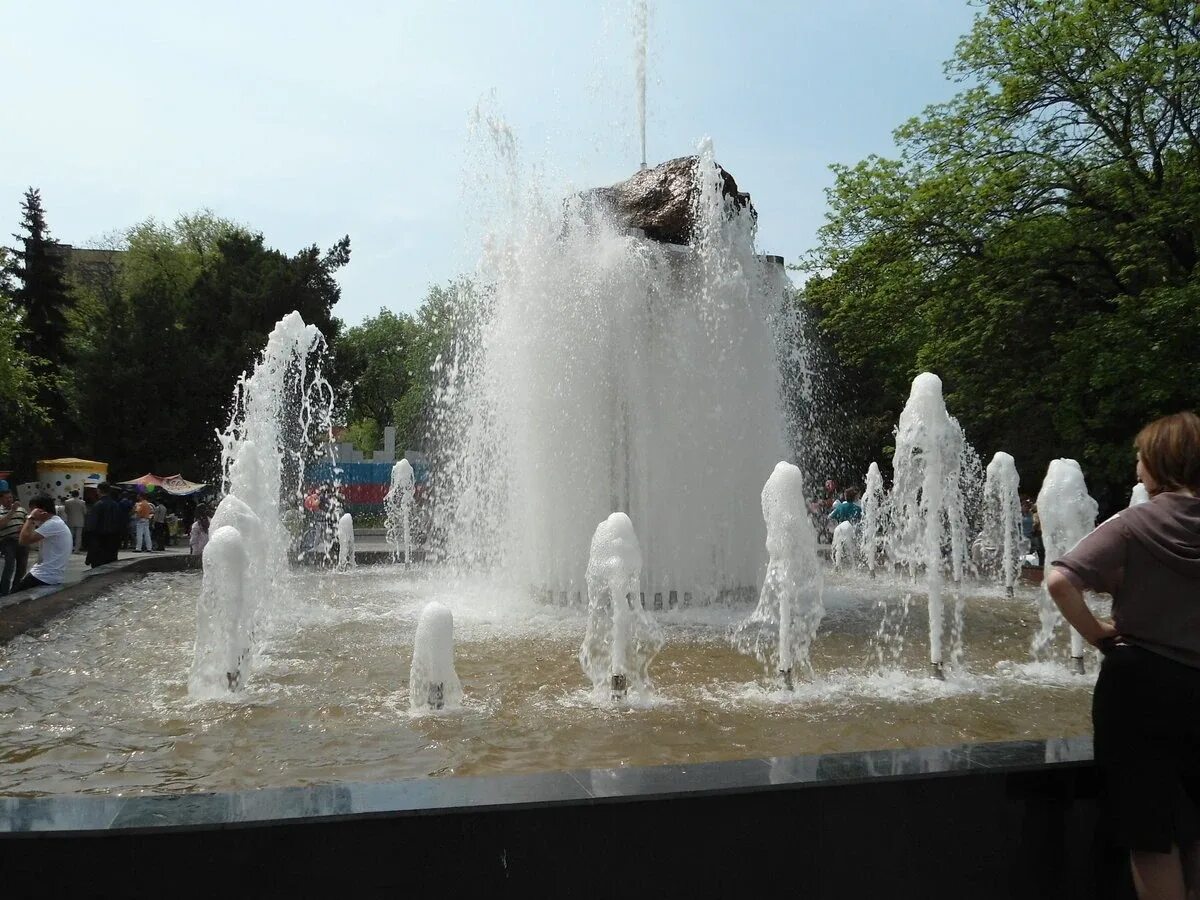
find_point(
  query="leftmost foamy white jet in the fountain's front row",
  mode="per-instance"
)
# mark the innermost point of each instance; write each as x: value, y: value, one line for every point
x: 225, y: 617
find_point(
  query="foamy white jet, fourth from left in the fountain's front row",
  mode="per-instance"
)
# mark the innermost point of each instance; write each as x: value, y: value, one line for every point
x: 790, y: 607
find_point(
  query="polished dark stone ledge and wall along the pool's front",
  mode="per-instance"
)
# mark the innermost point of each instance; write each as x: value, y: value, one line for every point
x: 1015, y: 820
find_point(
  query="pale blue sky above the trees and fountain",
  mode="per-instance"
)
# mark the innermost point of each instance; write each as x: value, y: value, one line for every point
x: 309, y: 121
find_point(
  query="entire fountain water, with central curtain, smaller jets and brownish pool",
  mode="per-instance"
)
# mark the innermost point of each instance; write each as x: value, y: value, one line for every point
x: 620, y: 365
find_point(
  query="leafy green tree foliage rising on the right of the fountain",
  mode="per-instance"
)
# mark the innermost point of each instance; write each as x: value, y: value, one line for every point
x: 1035, y: 242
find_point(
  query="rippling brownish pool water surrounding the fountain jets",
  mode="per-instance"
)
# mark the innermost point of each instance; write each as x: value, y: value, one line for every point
x: 99, y: 701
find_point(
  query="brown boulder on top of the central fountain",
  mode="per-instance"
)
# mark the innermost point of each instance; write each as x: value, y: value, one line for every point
x: 661, y: 201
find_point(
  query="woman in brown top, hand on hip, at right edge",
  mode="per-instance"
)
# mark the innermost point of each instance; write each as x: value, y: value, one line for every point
x: 1147, y: 706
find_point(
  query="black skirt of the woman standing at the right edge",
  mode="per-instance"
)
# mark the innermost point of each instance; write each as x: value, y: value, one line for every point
x: 1147, y: 716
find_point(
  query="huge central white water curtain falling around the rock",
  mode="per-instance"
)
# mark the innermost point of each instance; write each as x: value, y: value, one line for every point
x: 607, y: 371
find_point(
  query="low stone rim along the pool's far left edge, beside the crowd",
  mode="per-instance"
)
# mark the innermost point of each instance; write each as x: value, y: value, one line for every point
x: 26, y: 610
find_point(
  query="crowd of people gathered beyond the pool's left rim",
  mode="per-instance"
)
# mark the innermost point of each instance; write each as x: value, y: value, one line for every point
x: 100, y: 526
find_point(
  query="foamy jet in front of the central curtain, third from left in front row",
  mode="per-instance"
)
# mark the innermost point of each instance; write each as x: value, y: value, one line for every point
x: 621, y: 640
